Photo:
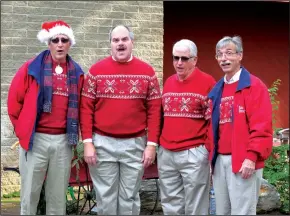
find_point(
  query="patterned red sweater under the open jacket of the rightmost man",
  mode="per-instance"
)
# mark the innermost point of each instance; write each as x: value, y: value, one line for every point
x: 226, y: 114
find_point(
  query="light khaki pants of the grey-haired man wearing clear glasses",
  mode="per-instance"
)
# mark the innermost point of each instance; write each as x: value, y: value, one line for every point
x: 233, y: 194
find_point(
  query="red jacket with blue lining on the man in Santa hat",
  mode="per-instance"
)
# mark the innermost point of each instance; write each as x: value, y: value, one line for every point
x: 22, y: 101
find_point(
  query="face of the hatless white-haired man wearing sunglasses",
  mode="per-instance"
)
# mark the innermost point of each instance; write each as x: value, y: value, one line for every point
x: 183, y: 62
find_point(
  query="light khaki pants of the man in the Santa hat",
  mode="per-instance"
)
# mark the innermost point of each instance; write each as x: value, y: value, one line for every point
x: 50, y: 157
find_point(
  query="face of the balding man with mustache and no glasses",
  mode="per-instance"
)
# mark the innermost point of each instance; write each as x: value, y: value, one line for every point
x: 121, y: 44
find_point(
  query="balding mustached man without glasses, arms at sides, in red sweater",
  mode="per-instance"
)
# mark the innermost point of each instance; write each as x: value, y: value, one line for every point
x: 120, y: 124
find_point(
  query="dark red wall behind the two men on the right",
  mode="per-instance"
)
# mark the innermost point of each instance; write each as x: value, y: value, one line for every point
x: 263, y: 26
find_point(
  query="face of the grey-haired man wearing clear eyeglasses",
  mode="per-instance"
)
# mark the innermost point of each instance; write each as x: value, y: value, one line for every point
x: 228, y: 58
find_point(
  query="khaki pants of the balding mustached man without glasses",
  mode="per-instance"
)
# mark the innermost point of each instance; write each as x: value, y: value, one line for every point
x: 118, y: 174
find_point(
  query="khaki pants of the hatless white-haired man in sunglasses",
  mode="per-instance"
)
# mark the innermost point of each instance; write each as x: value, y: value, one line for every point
x: 184, y: 181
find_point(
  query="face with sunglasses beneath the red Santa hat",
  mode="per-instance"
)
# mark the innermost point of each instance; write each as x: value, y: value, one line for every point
x: 59, y: 46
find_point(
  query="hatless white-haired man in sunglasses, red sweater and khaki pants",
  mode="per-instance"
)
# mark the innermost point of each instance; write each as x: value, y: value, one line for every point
x: 183, y: 165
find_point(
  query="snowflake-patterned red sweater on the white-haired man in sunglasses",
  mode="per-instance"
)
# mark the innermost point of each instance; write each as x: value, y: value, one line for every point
x: 185, y: 111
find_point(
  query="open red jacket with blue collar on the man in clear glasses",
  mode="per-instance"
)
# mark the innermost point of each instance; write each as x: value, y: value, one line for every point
x: 252, y: 135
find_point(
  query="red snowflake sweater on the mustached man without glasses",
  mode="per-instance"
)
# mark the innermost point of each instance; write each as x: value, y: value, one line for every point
x: 121, y: 100
